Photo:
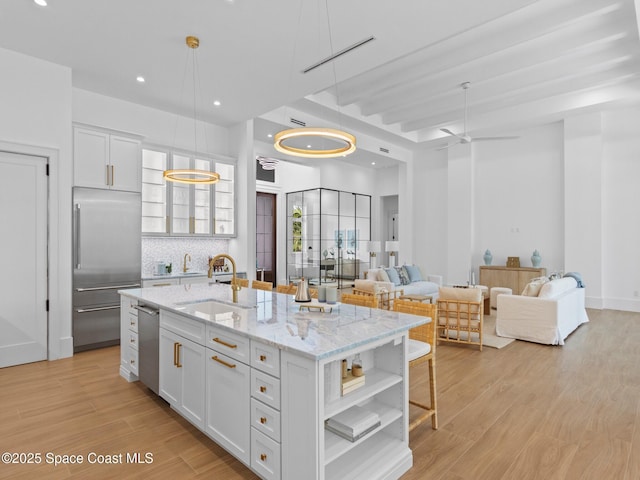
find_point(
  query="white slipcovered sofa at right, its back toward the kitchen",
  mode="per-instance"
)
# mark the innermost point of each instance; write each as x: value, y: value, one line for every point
x: 548, y: 318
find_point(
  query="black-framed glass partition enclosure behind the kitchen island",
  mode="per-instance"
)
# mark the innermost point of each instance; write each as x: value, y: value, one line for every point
x: 327, y: 235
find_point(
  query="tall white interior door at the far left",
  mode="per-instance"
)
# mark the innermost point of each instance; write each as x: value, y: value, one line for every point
x: 23, y: 237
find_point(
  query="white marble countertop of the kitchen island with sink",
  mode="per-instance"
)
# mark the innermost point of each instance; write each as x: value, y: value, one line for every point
x: 276, y: 318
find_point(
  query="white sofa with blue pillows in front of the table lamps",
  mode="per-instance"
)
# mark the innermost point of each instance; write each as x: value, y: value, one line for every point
x: 422, y: 284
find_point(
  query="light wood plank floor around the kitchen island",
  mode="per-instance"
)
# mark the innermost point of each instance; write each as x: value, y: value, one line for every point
x: 526, y: 411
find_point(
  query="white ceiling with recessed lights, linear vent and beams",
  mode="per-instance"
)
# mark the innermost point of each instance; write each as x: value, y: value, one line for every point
x: 528, y: 61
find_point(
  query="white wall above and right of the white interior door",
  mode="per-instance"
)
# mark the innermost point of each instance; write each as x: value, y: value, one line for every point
x: 35, y: 118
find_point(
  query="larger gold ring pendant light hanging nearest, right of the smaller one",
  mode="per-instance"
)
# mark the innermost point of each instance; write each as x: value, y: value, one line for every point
x: 341, y: 143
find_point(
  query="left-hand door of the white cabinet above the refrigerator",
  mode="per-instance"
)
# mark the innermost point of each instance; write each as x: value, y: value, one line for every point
x: 90, y: 158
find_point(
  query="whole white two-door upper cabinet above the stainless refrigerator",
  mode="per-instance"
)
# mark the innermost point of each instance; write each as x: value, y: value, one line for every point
x: 107, y: 161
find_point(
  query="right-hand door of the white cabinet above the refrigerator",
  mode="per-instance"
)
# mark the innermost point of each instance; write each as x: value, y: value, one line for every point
x: 126, y: 163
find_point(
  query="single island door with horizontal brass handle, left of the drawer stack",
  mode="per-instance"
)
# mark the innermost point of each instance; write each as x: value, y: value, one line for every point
x: 228, y: 404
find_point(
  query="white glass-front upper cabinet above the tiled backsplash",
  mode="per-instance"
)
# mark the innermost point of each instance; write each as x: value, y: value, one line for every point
x: 171, y: 208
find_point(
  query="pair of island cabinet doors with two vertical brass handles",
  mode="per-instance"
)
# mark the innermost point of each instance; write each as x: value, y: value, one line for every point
x: 182, y: 376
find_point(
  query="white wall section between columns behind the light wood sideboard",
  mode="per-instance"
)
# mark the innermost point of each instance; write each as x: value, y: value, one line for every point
x: 519, y: 198
